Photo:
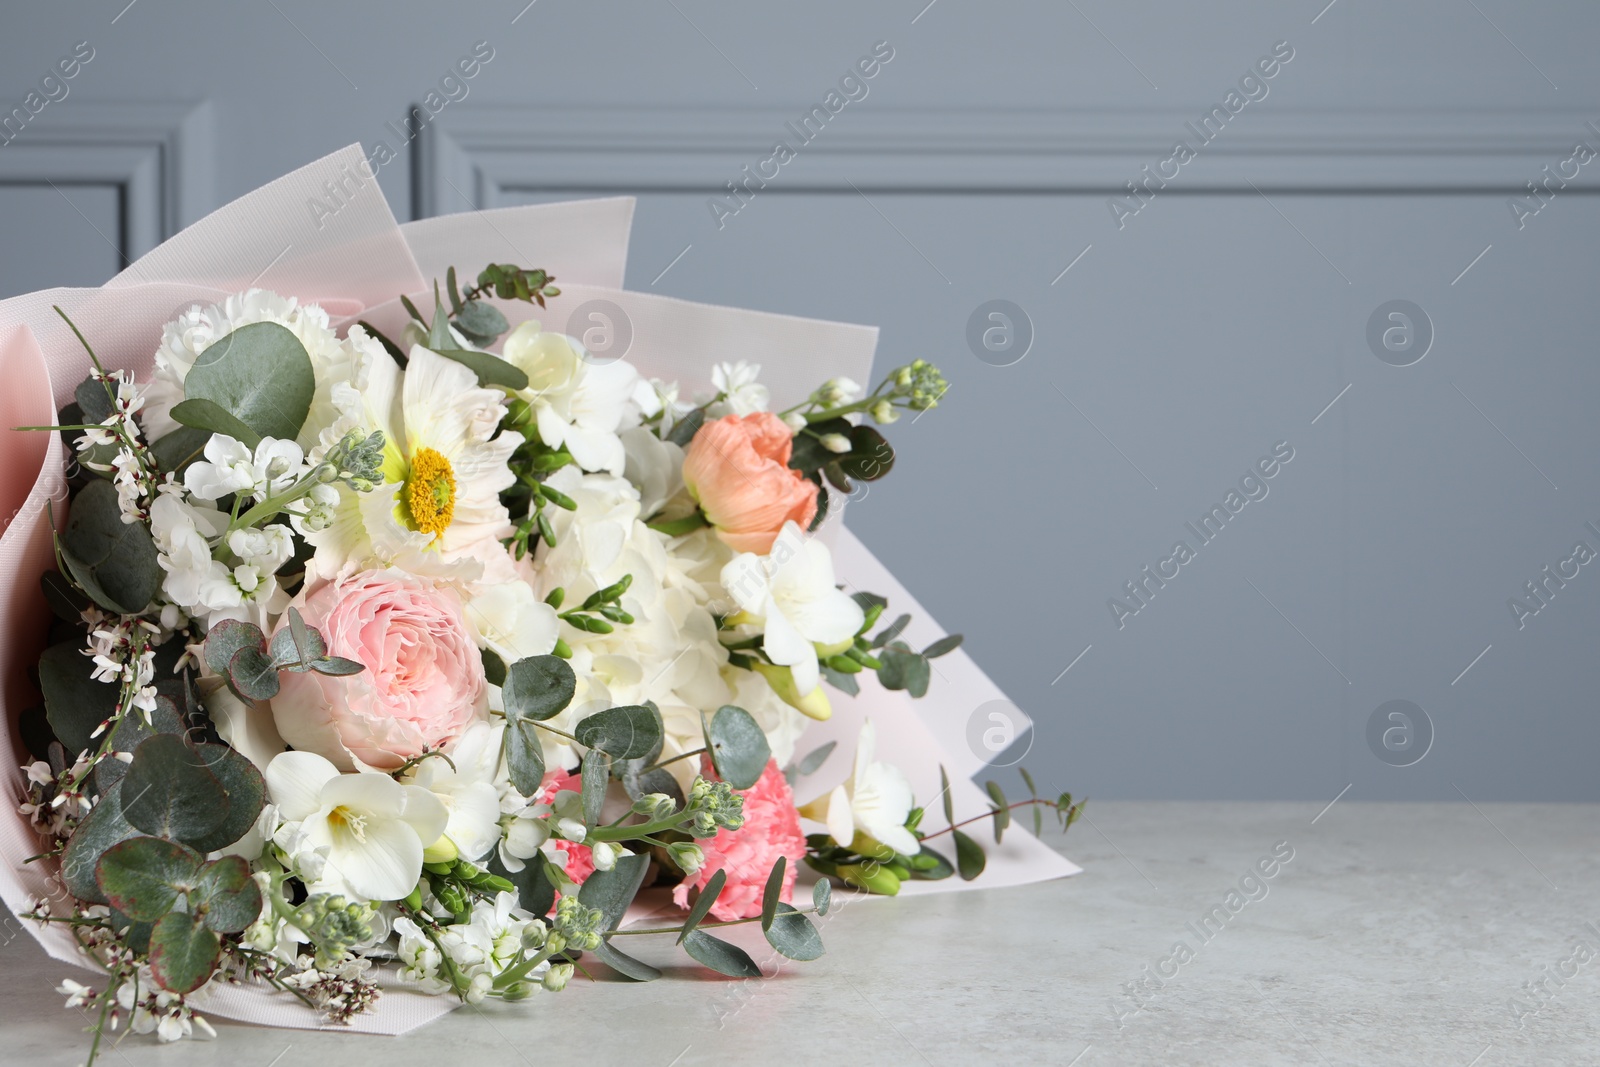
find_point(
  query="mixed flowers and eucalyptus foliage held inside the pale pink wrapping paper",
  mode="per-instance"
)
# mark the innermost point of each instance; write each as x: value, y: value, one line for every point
x: 420, y: 644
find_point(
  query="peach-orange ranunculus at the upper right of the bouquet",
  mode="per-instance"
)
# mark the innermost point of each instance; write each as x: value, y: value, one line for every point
x: 738, y: 470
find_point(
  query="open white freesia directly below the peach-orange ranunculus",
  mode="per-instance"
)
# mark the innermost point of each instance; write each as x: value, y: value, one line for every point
x: 791, y: 593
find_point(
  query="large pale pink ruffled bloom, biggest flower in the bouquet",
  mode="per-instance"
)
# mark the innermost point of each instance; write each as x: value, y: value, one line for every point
x: 423, y: 682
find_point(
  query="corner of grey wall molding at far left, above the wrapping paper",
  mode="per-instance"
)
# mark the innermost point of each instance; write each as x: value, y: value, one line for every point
x: 159, y: 156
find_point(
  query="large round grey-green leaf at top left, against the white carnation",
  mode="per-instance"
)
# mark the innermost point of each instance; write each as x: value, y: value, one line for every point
x: 260, y: 375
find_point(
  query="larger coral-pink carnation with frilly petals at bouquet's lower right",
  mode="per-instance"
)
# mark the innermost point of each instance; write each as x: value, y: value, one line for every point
x: 772, y: 829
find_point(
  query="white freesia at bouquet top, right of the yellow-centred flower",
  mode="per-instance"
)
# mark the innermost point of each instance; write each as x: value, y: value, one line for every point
x: 578, y: 404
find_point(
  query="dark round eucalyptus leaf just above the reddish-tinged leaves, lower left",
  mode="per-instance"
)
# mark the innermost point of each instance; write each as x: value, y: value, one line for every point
x: 172, y: 793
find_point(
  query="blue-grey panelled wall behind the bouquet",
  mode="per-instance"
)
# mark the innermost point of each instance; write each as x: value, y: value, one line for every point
x: 1178, y: 350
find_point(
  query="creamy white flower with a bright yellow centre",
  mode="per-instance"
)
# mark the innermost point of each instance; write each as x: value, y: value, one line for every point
x: 438, y: 511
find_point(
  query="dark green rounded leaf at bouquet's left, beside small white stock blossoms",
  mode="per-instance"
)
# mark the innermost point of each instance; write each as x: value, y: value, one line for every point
x: 111, y: 561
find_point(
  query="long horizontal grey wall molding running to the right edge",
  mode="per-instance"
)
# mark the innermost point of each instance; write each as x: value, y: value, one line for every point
x: 476, y: 158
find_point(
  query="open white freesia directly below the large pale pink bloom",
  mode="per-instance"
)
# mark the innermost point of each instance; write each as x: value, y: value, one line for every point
x: 370, y: 828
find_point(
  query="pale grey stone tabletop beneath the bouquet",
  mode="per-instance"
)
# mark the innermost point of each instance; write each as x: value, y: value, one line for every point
x: 1394, y: 935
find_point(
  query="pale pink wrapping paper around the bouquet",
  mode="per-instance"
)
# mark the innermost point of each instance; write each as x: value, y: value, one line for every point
x: 354, y: 265
